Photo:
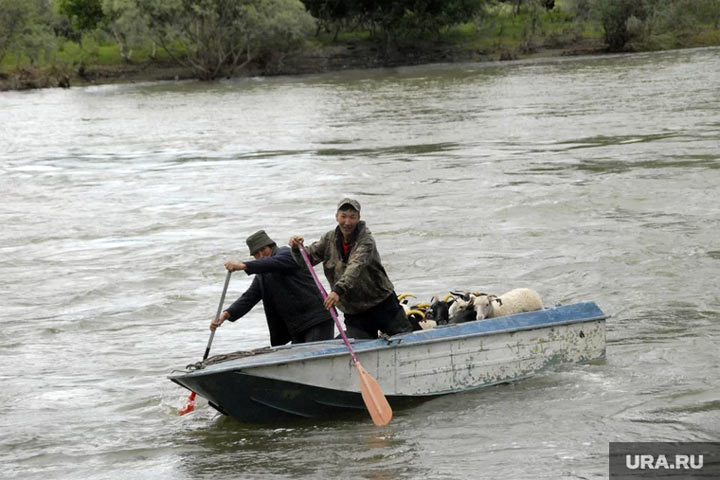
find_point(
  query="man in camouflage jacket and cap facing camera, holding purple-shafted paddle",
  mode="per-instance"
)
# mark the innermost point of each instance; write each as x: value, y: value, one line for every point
x: 360, y: 286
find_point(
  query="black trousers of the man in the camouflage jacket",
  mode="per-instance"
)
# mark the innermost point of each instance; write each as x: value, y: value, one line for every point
x: 387, y: 316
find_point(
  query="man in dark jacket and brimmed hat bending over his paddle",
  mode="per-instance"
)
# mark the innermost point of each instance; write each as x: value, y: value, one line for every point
x: 293, y: 306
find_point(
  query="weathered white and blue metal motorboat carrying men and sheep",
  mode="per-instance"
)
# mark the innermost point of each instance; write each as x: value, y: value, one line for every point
x: 319, y: 380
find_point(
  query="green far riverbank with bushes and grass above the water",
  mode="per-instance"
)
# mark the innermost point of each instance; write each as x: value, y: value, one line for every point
x: 499, y: 31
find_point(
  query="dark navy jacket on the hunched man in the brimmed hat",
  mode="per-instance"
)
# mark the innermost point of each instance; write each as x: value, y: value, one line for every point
x: 290, y: 297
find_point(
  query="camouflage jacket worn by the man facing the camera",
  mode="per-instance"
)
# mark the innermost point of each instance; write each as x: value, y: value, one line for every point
x: 359, y: 277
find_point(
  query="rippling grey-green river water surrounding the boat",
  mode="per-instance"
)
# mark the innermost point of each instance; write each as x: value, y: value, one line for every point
x: 583, y: 178
